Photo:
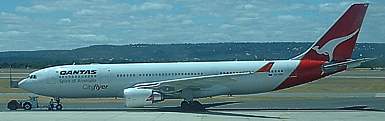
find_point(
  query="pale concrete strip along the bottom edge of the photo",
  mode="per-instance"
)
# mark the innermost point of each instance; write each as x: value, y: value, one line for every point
x: 198, y: 116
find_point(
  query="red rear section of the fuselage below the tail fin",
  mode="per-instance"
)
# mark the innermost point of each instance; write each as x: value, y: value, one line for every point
x: 306, y: 71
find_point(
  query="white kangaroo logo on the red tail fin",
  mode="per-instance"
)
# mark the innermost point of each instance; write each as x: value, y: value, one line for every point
x: 329, y: 47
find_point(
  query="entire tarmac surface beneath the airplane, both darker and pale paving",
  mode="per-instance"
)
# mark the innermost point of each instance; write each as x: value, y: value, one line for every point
x: 276, y: 106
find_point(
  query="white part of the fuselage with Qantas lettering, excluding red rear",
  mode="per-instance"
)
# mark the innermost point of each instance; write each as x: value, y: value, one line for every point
x: 109, y: 80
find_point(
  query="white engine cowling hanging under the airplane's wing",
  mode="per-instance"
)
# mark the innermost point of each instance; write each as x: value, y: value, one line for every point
x: 141, y: 97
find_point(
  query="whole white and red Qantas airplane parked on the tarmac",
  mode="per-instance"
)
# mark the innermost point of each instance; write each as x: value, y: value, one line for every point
x: 142, y: 84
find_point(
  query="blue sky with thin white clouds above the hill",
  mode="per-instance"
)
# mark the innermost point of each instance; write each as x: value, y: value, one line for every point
x: 70, y: 24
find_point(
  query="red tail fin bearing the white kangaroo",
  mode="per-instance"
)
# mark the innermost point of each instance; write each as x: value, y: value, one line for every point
x: 338, y: 42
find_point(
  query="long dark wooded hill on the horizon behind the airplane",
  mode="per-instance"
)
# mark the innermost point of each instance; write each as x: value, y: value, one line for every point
x: 175, y: 52
